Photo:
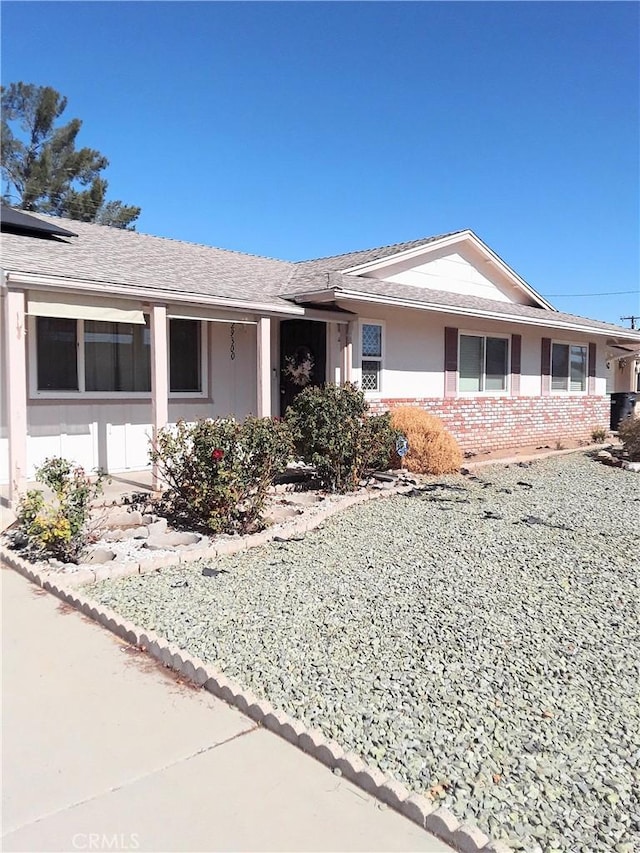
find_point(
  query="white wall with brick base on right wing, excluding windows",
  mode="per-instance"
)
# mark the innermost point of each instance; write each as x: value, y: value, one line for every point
x: 413, y: 374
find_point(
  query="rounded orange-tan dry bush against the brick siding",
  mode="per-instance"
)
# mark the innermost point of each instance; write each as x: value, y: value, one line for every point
x: 432, y: 449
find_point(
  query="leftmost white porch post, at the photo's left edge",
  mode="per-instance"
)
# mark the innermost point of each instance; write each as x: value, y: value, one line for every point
x: 16, y: 385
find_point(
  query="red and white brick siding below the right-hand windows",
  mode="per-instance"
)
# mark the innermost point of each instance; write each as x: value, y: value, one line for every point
x: 495, y: 423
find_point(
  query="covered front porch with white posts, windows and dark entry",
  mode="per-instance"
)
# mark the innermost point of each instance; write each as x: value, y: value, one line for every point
x: 200, y: 360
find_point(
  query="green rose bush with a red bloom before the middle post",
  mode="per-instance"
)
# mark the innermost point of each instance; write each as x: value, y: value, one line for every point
x: 218, y: 471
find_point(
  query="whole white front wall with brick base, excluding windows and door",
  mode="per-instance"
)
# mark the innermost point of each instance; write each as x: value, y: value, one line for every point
x: 114, y: 433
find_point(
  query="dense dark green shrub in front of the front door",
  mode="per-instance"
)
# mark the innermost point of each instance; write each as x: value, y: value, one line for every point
x: 333, y: 432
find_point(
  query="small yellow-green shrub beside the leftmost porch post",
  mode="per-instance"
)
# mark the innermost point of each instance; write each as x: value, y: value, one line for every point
x: 60, y: 528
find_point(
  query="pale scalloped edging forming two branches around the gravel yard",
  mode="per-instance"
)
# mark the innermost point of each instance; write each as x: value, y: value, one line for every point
x: 439, y: 821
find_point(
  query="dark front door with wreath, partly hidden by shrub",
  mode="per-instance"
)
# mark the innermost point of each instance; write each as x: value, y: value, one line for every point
x: 303, y: 357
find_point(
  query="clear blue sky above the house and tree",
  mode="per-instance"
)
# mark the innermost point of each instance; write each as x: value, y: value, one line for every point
x: 301, y: 129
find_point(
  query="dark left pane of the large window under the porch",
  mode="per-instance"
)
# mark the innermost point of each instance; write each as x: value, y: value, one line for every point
x: 57, y: 354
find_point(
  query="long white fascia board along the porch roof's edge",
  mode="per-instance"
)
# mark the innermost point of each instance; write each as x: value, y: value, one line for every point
x: 30, y: 280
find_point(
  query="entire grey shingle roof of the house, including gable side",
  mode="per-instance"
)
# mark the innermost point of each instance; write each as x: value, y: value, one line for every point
x: 107, y: 255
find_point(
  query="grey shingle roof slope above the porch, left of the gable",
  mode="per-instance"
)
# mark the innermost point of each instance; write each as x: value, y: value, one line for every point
x: 112, y: 255
